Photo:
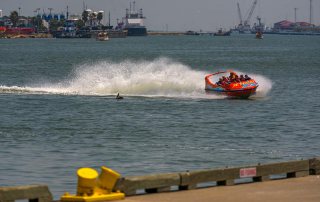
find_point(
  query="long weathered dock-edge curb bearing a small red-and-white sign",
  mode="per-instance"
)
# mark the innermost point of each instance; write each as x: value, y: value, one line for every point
x: 217, y: 177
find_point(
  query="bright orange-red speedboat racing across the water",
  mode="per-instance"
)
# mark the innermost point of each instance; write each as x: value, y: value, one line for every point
x: 242, y: 89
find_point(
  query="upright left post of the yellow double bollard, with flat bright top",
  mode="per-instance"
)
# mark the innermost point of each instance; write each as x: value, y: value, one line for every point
x: 86, y: 181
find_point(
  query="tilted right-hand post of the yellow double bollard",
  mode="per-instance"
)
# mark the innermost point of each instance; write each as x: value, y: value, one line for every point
x: 108, y: 178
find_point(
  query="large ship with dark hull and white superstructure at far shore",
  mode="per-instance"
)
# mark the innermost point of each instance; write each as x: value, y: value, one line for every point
x: 133, y: 22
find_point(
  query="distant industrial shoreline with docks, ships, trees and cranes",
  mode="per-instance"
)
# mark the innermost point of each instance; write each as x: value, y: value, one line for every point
x: 132, y: 23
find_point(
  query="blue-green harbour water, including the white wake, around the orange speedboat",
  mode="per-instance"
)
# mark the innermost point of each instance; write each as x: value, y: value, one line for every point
x: 58, y: 110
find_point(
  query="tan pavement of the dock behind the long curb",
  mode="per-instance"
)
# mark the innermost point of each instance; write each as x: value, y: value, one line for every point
x: 304, y: 189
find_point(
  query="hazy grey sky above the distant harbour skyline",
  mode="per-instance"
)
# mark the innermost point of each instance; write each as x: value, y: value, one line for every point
x: 179, y: 15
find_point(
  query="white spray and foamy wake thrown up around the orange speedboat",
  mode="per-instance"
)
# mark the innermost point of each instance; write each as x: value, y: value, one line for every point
x: 159, y: 78
